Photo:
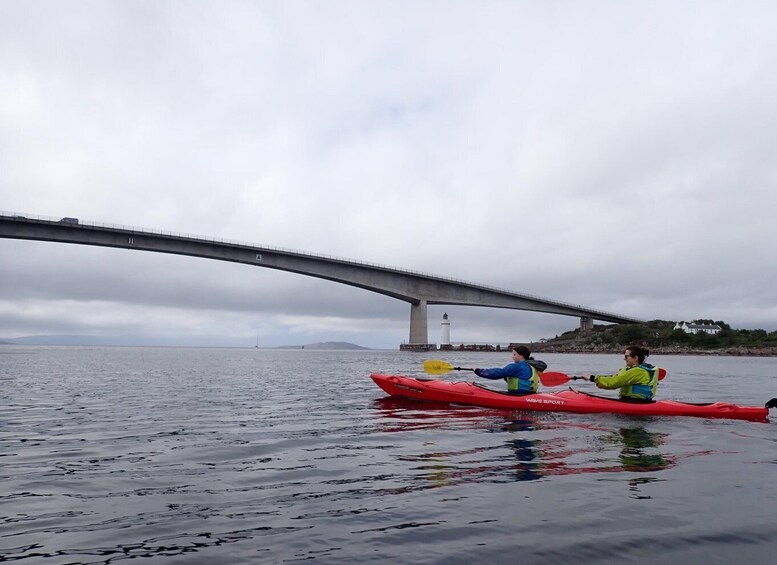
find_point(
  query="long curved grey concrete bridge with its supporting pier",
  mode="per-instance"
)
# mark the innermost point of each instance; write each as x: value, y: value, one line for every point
x: 418, y: 289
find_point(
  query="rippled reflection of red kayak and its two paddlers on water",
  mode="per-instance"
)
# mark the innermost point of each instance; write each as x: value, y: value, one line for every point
x: 533, y: 451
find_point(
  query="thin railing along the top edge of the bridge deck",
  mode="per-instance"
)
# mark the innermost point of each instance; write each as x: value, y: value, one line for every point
x: 208, y: 239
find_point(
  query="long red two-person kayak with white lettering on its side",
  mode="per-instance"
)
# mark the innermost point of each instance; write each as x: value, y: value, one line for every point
x: 563, y: 401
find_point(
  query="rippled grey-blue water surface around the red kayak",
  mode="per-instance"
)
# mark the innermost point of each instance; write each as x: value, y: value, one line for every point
x: 269, y: 456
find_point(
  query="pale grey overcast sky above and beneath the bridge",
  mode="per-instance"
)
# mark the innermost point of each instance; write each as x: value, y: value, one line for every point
x: 617, y: 155
